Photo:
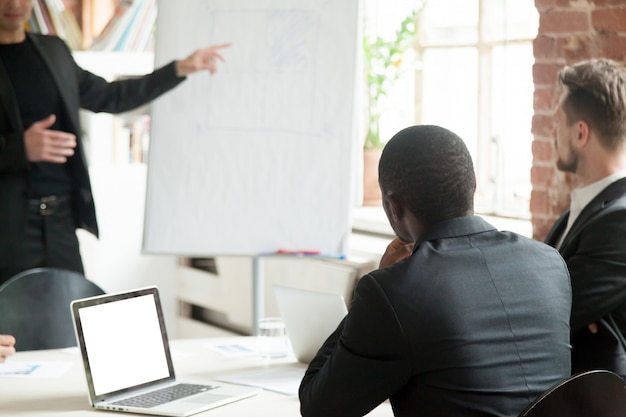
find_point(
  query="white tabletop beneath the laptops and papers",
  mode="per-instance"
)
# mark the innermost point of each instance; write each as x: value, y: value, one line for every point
x: 194, y: 361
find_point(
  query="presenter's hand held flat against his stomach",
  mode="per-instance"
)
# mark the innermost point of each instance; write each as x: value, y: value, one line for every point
x: 45, y: 145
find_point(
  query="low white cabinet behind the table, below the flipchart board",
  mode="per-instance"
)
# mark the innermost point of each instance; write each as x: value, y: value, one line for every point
x: 223, y: 297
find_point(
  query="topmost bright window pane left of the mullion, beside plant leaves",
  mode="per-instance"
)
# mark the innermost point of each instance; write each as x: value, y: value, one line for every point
x: 449, y: 22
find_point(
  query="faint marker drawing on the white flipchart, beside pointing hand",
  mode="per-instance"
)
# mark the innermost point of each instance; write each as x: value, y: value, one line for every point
x: 271, y: 74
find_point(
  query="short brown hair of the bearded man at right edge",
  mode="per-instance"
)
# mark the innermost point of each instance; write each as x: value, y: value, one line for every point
x: 596, y: 94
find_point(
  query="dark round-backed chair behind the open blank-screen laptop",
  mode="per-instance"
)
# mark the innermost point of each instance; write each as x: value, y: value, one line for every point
x: 35, y: 307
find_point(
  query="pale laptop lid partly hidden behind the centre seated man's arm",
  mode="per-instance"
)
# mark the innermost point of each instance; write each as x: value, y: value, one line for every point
x: 310, y: 317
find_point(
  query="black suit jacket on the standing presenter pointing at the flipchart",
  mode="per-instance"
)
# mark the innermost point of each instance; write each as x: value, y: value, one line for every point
x: 78, y: 89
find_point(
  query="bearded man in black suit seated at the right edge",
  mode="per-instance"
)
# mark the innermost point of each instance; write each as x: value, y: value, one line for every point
x: 591, y: 235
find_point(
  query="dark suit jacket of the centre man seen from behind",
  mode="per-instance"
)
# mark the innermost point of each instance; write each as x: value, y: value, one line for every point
x: 474, y: 323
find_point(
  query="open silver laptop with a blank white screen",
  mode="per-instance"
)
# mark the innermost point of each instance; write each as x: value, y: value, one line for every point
x: 127, y: 359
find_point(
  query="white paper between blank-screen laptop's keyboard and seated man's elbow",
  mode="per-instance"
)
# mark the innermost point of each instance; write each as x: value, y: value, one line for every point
x: 284, y: 379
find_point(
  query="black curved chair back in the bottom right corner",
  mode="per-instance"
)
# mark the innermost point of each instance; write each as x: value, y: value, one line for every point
x: 587, y: 394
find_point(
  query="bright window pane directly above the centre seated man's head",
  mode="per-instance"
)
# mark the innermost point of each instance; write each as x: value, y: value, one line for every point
x: 450, y: 92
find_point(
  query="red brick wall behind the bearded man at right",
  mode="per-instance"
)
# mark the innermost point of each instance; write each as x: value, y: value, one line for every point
x: 569, y: 31
